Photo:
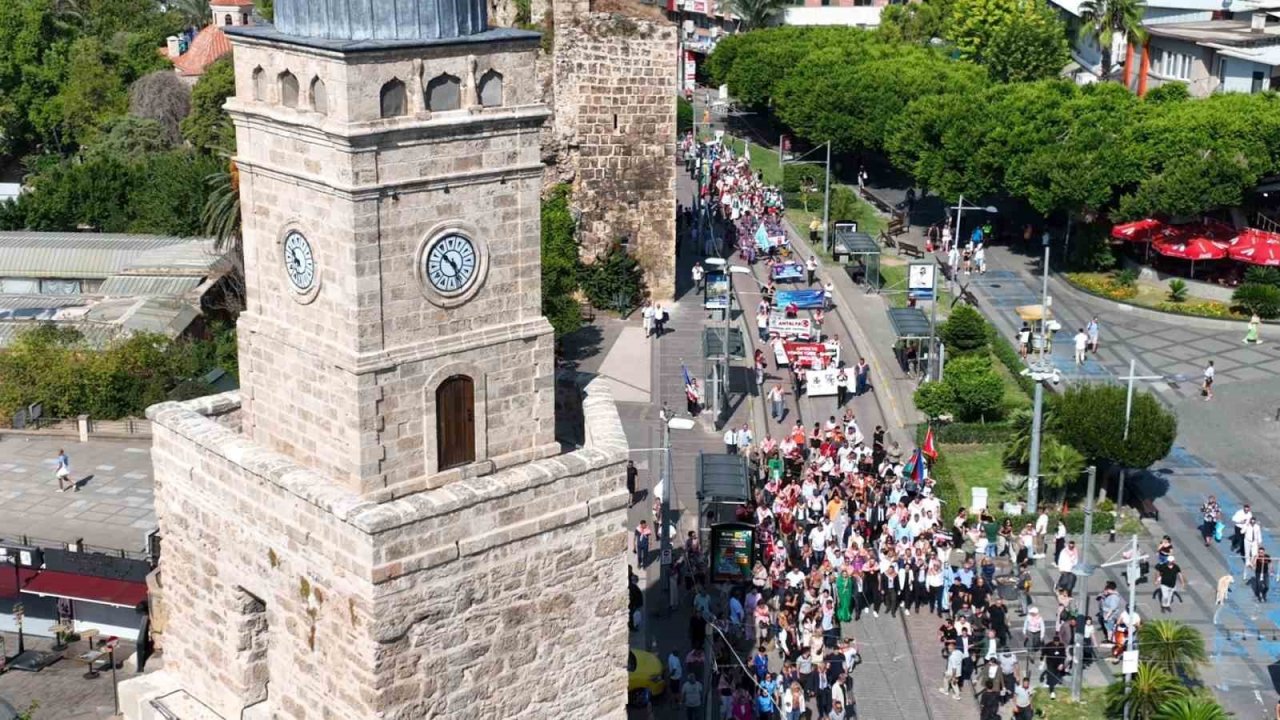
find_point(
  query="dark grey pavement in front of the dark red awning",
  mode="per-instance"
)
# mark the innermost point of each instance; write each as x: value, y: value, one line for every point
x: 62, y: 691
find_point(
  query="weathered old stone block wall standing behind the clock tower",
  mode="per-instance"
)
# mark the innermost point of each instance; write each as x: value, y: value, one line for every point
x: 615, y: 133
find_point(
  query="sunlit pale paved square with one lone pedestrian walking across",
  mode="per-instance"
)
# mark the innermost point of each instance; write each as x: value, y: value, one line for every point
x: 113, y: 507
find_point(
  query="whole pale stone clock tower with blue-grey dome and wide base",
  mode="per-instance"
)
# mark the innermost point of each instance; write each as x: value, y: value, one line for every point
x: 381, y: 523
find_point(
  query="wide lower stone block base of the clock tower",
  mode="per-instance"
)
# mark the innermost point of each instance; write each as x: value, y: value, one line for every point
x: 492, y: 598
